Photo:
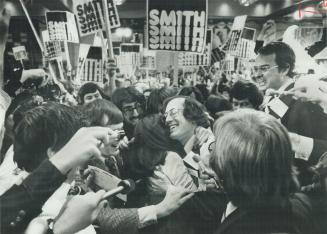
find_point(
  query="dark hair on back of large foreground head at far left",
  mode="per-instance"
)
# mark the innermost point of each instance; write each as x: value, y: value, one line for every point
x: 47, y: 126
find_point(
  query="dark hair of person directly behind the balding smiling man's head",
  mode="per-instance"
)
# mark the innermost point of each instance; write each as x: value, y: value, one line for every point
x: 156, y: 99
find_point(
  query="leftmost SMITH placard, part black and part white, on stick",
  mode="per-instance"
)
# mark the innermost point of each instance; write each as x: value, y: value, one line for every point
x: 62, y: 26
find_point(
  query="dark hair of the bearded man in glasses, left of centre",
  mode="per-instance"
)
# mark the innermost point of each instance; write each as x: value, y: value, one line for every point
x: 127, y: 95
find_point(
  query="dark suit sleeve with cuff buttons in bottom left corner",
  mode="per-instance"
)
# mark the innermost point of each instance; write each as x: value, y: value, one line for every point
x: 20, y: 204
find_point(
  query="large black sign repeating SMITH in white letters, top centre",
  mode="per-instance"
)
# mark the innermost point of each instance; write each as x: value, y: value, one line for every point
x: 177, y: 25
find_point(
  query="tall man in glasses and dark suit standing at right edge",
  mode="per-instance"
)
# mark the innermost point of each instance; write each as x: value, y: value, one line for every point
x: 274, y: 69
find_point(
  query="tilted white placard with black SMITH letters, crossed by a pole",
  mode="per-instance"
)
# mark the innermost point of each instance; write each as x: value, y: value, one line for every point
x: 90, y: 16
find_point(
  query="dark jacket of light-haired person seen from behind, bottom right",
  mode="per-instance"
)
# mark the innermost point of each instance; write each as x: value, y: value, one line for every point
x: 295, y: 217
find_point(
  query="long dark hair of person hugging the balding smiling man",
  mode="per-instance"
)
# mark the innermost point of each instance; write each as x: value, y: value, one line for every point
x: 152, y: 142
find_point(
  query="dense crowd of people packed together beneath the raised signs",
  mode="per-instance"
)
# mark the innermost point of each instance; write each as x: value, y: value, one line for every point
x: 211, y: 152
